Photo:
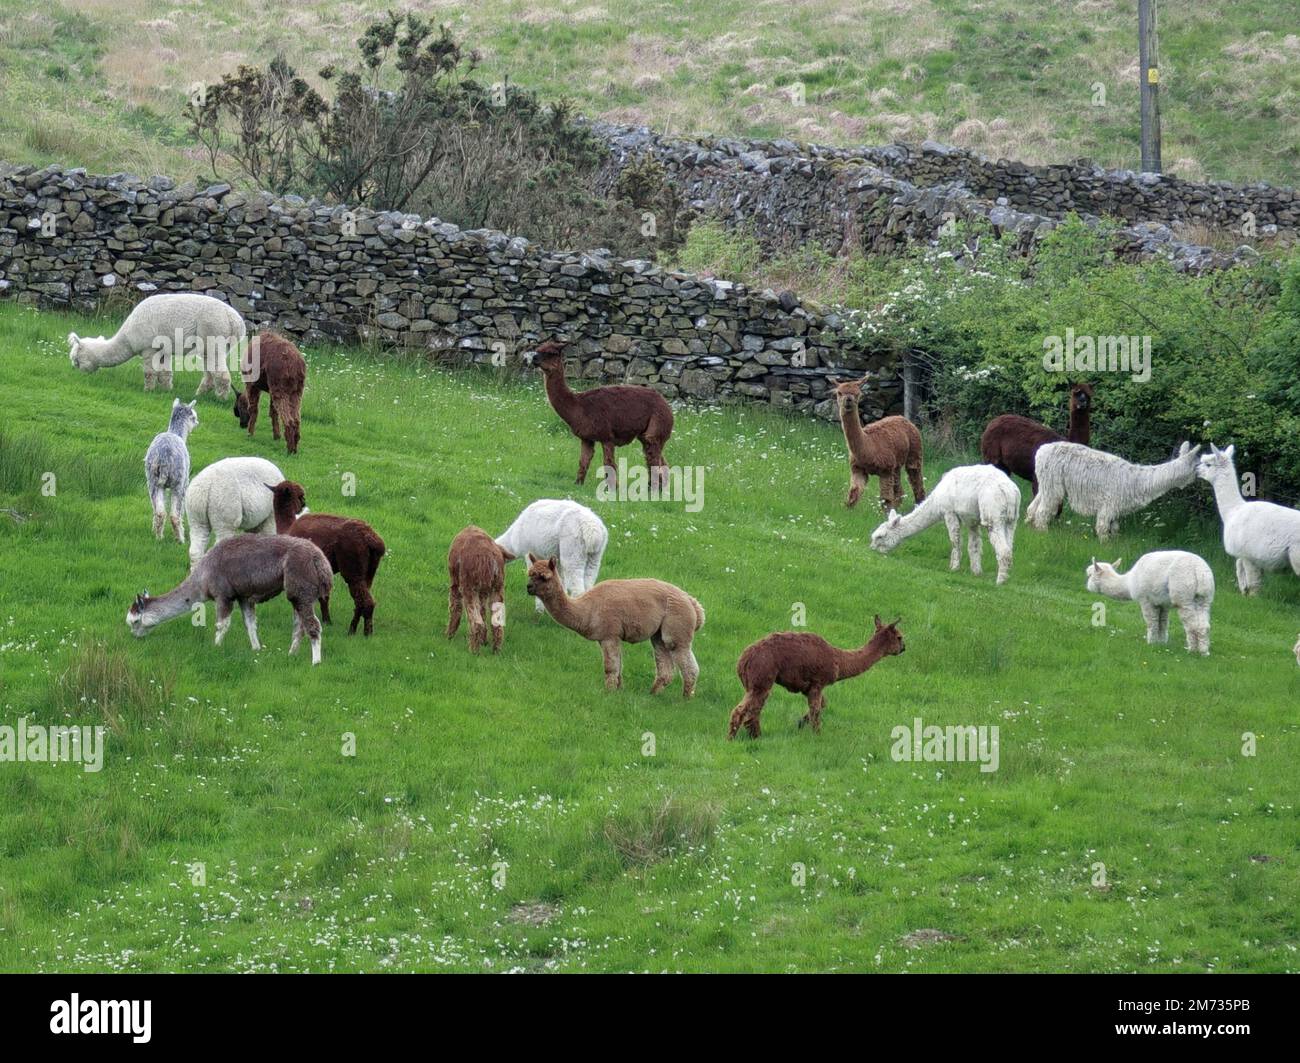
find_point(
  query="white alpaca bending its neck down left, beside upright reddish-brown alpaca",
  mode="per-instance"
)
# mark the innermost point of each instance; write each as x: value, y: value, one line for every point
x: 969, y: 497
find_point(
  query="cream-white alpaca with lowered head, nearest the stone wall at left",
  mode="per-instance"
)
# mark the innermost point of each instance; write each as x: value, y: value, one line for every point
x: 168, y: 331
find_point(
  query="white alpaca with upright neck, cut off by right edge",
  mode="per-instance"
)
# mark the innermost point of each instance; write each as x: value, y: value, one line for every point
x: 1263, y: 536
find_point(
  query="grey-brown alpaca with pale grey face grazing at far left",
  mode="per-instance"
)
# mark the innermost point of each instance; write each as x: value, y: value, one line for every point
x: 246, y: 570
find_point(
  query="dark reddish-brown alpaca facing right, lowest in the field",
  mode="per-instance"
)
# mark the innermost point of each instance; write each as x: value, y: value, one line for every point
x: 804, y: 663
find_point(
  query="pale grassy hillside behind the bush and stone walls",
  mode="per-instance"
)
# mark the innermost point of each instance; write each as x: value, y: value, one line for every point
x: 102, y: 84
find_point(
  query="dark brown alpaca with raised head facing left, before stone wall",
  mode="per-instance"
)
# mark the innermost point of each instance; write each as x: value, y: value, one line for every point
x: 612, y: 416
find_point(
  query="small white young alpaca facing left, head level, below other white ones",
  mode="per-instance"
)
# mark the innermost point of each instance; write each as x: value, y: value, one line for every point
x: 1159, y: 582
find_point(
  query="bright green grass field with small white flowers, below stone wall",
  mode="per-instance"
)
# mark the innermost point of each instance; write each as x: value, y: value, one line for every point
x: 523, y: 767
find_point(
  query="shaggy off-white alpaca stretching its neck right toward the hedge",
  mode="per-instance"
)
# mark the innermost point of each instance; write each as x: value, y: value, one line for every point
x: 1099, y: 484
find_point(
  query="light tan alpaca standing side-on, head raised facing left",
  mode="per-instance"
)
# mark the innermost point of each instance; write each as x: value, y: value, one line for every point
x: 618, y: 611
